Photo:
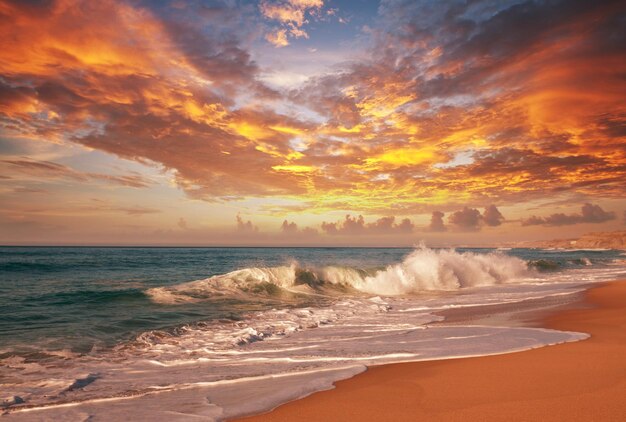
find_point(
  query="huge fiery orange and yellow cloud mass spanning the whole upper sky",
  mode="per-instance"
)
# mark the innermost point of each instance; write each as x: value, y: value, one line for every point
x: 527, y: 94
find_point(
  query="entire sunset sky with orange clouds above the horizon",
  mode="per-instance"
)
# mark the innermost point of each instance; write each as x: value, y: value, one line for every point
x: 311, y: 122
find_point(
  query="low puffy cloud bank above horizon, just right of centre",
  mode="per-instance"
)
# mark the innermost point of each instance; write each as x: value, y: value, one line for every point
x: 357, y: 226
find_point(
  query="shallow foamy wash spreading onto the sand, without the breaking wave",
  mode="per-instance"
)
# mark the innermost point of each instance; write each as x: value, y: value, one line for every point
x: 272, y: 356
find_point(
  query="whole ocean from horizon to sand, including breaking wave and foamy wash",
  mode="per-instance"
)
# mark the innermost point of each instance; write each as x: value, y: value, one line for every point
x: 177, y: 333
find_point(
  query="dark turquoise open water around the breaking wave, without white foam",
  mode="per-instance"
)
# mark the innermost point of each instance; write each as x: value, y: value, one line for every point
x: 85, y: 299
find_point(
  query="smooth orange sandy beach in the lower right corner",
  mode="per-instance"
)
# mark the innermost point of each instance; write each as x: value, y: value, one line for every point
x: 583, y: 381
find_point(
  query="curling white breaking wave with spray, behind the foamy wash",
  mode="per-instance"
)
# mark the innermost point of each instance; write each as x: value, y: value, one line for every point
x: 423, y: 270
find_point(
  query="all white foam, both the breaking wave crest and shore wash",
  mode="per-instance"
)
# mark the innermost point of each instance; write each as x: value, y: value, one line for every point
x: 223, y: 369
